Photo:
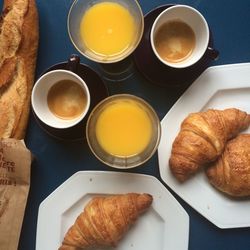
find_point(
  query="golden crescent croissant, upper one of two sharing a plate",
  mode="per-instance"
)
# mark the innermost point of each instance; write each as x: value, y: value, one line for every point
x: 202, y: 139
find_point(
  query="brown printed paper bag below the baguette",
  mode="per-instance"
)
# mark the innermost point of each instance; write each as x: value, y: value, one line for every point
x: 15, y: 161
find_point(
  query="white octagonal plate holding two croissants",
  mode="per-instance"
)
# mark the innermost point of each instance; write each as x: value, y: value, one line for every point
x: 218, y: 87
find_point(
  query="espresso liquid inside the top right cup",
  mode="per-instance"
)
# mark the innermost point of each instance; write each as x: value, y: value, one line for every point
x: 174, y: 41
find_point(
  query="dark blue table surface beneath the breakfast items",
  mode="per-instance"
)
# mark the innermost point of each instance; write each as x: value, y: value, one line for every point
x: 55, y: 161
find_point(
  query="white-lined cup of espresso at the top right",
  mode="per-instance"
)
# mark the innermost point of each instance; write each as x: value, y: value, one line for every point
x: 179, y: 36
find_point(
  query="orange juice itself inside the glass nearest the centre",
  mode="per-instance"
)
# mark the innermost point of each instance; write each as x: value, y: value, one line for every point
x: 124, y: 128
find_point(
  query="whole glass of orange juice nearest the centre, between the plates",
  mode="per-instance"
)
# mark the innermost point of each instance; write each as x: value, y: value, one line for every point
x: 123, y: 131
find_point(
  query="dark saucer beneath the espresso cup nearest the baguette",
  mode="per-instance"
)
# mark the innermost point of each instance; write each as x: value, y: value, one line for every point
x: 98, y: 91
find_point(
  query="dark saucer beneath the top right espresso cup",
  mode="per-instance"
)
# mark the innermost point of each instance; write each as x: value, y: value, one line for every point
x: 158, y: 73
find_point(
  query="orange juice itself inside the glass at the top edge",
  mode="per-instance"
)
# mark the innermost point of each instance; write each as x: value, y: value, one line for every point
x: 107, y: 28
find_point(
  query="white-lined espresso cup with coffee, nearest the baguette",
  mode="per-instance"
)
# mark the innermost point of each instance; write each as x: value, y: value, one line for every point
x: 60, y: 98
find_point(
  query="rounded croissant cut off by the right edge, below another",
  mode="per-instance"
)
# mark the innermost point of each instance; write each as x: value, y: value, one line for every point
x: 231, y: 172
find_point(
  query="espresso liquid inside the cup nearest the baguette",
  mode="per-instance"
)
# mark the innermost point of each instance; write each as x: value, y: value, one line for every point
x: 66, y: 99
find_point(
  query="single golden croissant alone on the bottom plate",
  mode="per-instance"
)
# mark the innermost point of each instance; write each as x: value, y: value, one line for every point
x: 105, y: 220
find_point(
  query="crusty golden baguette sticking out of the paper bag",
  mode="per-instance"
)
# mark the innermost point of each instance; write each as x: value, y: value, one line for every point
x: 19, y: 34
